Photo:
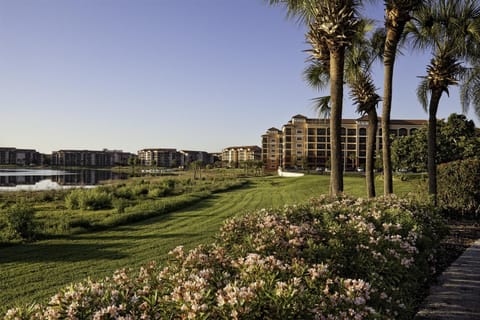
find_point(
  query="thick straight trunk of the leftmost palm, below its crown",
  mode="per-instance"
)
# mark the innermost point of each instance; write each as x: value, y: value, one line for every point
x: 337, y: 57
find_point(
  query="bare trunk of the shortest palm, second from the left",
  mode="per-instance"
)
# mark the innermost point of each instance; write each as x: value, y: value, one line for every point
x: 371, y: 146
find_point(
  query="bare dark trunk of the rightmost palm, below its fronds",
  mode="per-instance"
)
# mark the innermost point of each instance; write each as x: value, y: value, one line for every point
x: 432, y: 144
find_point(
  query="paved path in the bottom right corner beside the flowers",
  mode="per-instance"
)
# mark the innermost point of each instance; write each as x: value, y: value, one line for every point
x: 457, y: 295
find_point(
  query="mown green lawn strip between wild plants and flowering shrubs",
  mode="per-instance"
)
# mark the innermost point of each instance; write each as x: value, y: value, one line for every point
x: 34, y: 272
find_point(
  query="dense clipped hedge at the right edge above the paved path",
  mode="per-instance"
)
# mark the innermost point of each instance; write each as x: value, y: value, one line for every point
x: 458, y: 187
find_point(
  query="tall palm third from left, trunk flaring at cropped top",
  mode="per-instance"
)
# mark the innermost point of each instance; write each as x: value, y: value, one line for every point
x: 397, y: 14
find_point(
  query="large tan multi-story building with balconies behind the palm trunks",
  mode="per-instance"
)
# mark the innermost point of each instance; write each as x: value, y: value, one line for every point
x: 305, y: 142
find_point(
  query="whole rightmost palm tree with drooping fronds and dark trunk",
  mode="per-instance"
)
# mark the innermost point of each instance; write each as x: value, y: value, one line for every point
x: 451, y: 29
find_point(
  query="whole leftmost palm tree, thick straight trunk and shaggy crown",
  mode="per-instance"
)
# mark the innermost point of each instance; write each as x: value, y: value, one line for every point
x: 332, y: 25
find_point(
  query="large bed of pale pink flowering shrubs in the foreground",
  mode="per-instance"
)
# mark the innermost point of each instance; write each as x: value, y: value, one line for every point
x: 341, y: 259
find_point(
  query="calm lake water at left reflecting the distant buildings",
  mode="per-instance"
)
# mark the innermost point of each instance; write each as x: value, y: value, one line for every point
x: 42, y: 179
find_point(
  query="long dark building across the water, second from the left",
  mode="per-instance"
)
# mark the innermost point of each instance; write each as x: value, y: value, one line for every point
x: 89, y: 158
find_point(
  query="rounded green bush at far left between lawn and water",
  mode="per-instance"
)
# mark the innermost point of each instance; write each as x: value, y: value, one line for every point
x: 19, y: 221
